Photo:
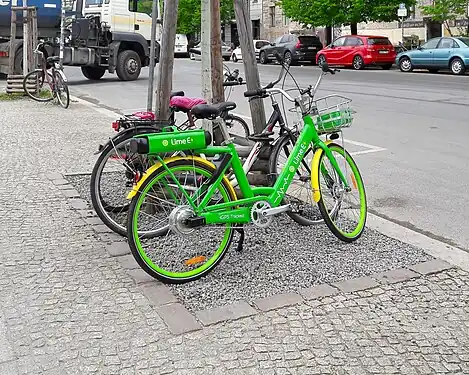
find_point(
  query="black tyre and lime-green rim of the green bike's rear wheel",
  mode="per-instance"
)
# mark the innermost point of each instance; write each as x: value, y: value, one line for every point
x: 148, y: 265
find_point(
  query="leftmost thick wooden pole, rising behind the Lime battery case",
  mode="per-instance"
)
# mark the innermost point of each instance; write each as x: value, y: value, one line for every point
x: 165, y: 66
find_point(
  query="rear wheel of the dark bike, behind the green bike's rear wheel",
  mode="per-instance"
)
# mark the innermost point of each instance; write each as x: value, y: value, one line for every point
x: 114, y: 174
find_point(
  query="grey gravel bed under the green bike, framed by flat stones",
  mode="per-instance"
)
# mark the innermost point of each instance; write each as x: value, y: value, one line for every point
x: 287, y: 257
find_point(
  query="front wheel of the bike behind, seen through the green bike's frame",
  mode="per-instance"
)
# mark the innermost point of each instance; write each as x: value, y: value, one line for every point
x: 299, y: 195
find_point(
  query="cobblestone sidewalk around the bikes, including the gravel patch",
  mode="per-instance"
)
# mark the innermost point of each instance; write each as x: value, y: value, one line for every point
x: 73, y: 302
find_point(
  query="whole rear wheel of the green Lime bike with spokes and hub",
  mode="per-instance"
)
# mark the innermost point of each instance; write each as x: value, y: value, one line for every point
x: 185, y: 253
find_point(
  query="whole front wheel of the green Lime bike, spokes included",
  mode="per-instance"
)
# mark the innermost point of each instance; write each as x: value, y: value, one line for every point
x: 344, y: 210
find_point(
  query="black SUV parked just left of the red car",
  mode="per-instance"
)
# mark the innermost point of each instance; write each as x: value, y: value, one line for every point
x: 293, y: 48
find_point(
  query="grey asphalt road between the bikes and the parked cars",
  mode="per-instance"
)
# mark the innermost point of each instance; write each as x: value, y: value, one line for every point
x: 409, y: 135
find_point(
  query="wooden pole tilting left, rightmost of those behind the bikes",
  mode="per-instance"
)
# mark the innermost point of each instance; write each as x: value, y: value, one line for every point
x: 243, y: 21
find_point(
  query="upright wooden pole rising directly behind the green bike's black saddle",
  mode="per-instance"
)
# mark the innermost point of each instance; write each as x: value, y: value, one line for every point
x: 216, y: 58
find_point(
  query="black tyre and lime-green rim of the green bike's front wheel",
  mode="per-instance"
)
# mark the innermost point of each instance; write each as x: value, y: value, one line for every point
x: 358, y: 184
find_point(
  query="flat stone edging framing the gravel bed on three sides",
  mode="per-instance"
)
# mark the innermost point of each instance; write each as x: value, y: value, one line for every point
x: 179, y: 320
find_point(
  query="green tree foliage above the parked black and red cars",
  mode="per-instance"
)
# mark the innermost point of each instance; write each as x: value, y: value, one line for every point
x: 341, y: 12
